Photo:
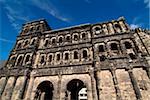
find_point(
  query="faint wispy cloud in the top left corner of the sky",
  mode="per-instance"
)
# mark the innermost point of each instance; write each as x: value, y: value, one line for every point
x: 14, y: 14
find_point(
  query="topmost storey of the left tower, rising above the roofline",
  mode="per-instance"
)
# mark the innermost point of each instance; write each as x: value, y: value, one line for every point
x: 34, y: 26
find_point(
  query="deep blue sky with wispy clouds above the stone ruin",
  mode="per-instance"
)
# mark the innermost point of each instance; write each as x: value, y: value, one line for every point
x: 64, y: 13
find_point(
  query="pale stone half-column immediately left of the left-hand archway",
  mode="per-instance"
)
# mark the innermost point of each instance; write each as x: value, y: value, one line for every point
x: 29, y: 89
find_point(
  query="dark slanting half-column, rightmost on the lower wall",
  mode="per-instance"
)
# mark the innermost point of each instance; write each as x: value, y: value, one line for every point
x: 135, y: 85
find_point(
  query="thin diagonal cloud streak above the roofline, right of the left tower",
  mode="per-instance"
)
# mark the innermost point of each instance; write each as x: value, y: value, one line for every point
x: 48, y: 7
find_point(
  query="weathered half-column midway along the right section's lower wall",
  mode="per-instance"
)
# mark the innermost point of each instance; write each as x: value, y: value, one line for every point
x: 116, y: 84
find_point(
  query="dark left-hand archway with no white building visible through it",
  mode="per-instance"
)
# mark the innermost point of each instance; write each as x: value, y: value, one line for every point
x: 44, y: 91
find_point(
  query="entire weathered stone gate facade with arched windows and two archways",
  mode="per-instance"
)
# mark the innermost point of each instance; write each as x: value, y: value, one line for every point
x: 103, y: 61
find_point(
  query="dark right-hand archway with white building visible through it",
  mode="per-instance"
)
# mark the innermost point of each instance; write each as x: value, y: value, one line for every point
x: 74, y: 90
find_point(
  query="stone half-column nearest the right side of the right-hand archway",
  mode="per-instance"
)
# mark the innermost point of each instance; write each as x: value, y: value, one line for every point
x: 93, y: 83
